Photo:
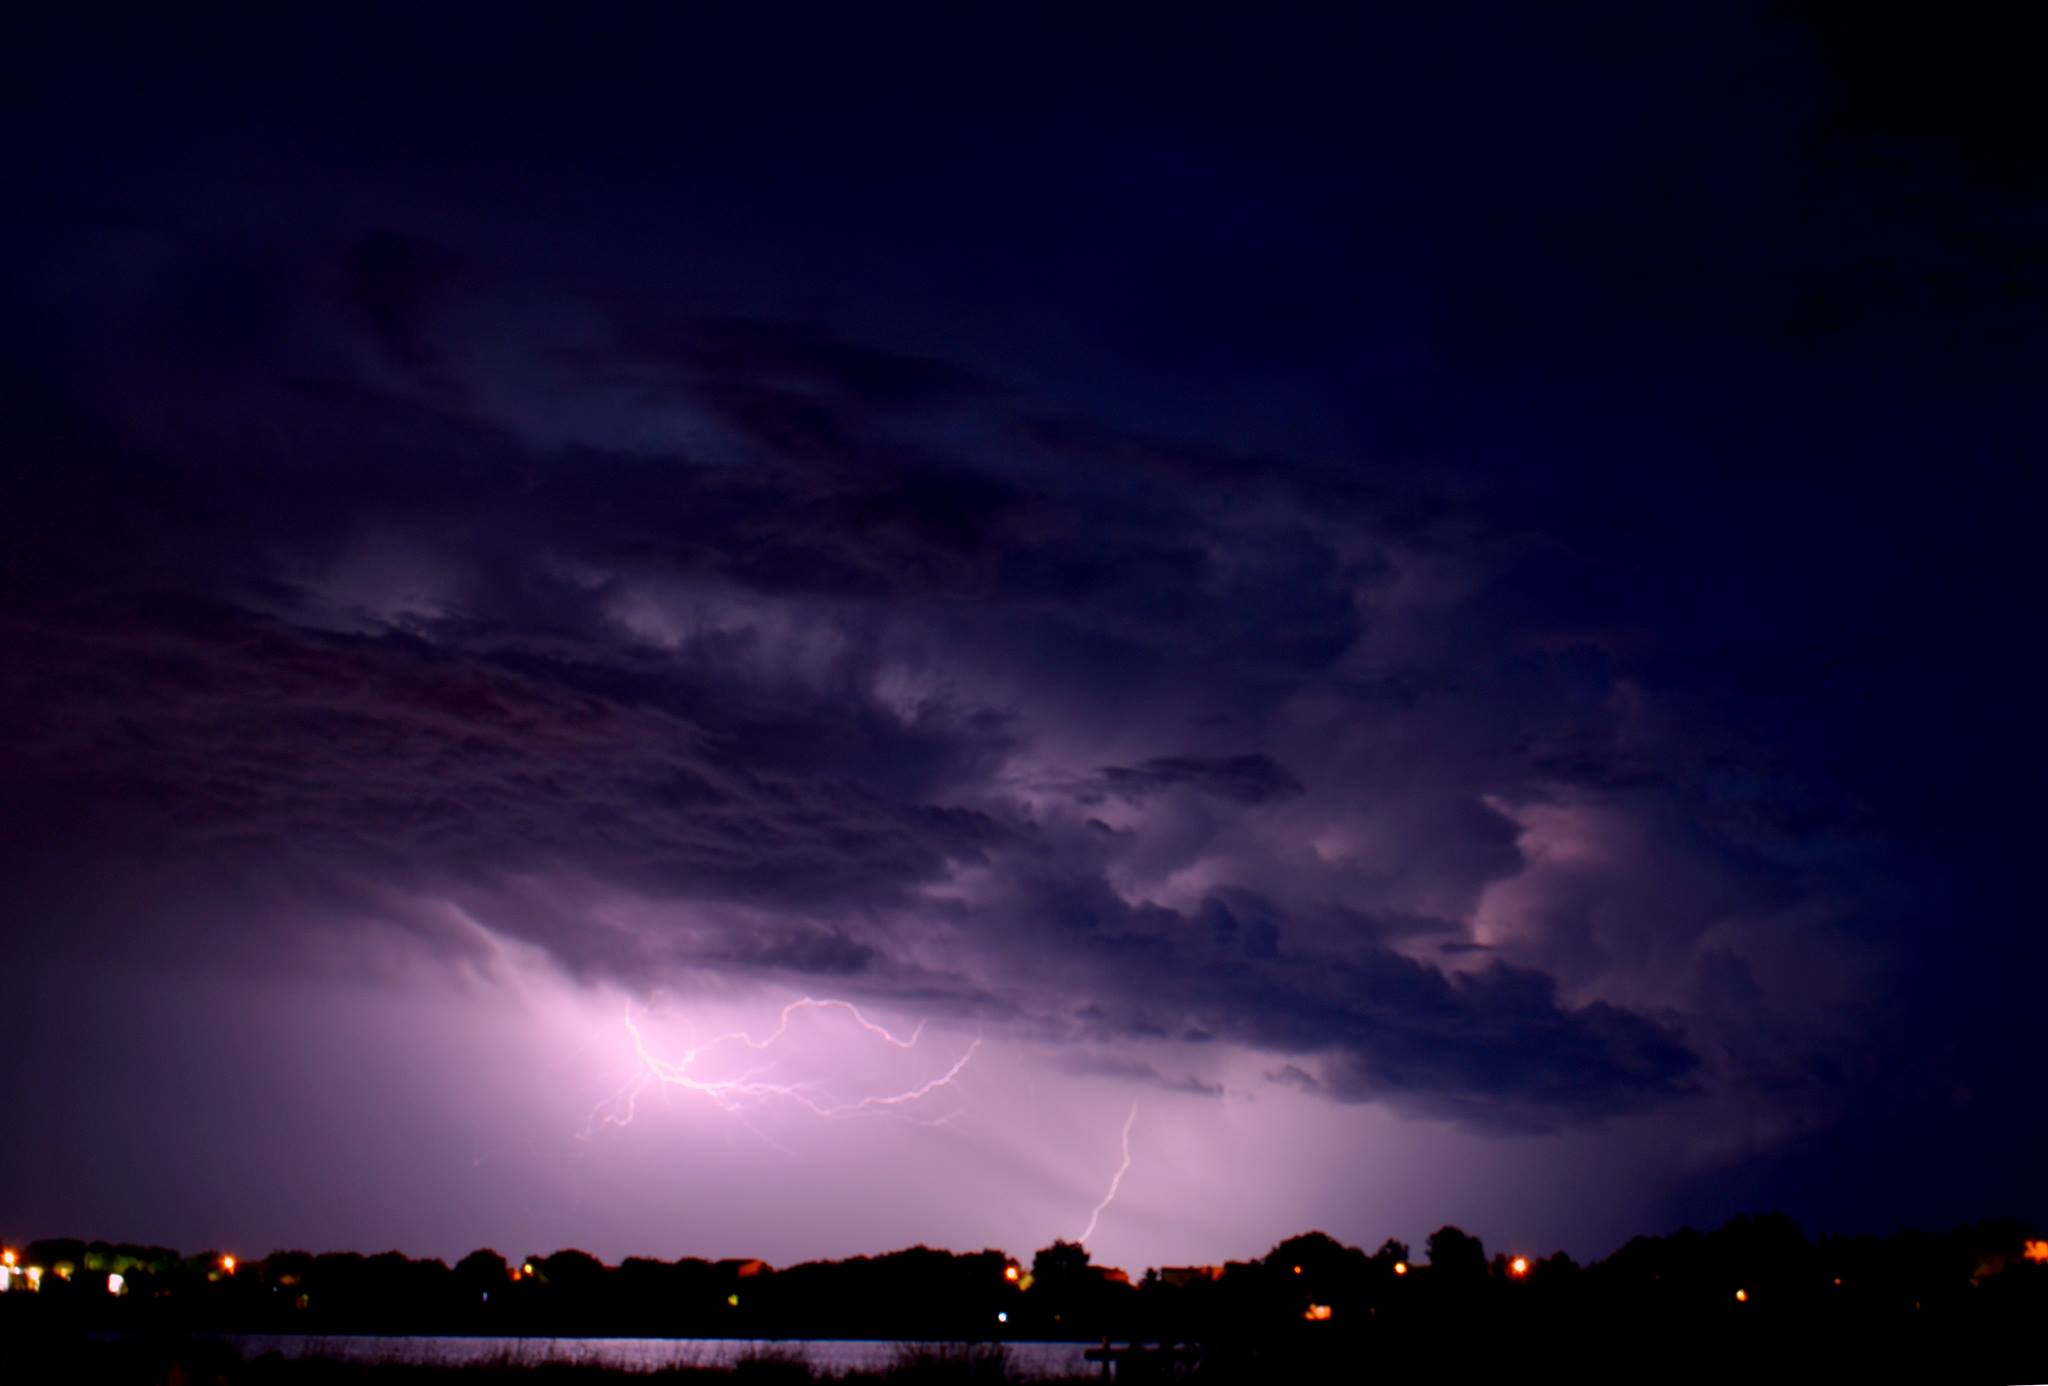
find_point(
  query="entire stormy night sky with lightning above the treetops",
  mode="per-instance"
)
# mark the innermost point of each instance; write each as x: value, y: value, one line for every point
x: 1392, y: 615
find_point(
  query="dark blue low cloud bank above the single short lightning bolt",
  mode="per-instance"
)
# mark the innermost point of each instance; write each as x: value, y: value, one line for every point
x: 1494, y: 1047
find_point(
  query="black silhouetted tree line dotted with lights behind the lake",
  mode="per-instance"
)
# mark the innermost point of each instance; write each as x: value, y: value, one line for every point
x: 1959, y: 1305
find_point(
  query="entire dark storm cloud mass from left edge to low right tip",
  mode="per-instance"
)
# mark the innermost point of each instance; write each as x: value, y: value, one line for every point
x: 458, y: 660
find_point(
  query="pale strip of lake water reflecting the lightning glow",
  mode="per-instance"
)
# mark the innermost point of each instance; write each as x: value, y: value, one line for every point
x: 636, y: 1354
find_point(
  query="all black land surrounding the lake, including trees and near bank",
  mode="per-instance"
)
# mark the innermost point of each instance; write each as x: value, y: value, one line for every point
x: 1752, y: 1301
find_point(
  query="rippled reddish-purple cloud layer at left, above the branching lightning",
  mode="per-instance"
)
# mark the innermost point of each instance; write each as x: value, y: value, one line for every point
x: 472, y: 754
